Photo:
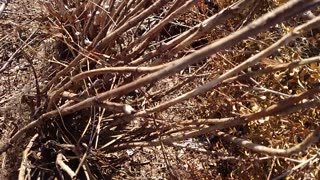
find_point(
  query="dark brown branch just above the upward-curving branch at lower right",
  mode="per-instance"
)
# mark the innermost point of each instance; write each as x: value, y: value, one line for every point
x: 218, y: 124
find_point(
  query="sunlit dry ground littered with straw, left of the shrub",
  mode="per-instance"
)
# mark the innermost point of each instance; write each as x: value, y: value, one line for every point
x: 21, y: 36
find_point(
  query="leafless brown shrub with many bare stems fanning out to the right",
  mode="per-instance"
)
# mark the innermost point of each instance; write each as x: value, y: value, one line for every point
x: 130, y: 71
